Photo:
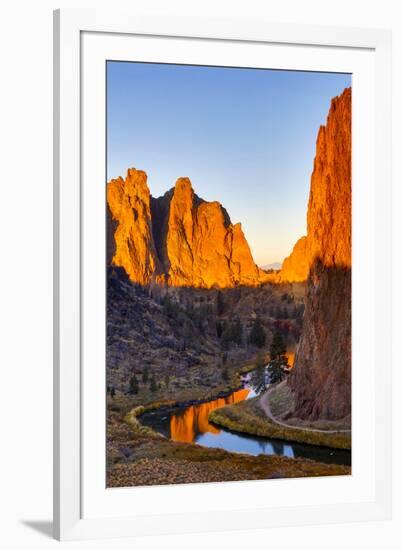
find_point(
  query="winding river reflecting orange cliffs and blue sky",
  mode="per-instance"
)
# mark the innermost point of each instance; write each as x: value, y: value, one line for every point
x: 190, y: 424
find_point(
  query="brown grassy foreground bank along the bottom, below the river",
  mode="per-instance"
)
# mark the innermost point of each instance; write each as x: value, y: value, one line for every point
x: 138, y: 455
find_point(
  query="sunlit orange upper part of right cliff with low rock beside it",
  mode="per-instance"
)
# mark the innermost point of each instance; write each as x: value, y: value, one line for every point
x: 329, y: 207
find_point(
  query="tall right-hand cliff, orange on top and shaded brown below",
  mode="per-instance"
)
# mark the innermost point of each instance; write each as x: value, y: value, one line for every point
x: 321, y: 378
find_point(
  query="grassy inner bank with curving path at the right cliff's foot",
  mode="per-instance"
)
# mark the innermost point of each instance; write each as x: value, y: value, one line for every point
x: 262, y: 416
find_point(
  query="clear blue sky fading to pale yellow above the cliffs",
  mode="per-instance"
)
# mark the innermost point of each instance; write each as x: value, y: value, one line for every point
x: 245, y: 137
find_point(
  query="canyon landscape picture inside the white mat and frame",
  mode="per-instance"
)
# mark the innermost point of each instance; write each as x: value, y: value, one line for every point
x: 228, y: 207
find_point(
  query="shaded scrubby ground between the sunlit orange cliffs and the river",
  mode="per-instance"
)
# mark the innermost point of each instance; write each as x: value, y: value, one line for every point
x: 176, y: 334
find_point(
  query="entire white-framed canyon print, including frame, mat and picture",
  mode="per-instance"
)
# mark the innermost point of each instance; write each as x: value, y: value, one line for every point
x: 222, y: 199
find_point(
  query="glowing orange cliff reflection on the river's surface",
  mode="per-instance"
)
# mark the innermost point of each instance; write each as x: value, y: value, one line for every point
x: 194, y: 420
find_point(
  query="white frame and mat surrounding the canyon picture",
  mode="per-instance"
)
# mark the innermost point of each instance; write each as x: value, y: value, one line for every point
x: 83, y: 507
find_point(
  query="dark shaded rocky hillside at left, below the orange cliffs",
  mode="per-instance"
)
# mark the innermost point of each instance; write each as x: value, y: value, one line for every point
x: 145, y: 332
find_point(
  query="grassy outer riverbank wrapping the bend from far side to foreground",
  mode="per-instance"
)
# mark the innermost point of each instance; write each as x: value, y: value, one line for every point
x: 139, y: 455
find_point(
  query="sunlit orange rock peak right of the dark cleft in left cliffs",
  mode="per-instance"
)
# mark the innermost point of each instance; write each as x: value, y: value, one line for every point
x: 203, y: 248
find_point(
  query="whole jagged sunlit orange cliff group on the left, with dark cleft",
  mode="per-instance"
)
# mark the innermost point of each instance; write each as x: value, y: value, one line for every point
x: 178, y: 239
